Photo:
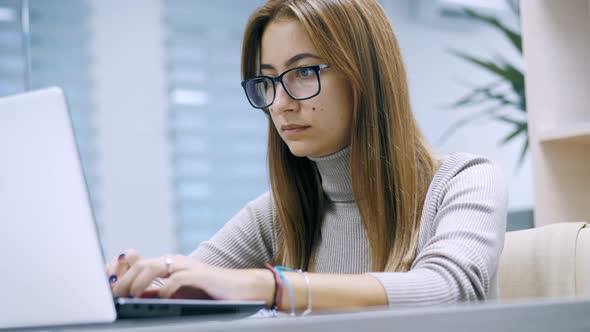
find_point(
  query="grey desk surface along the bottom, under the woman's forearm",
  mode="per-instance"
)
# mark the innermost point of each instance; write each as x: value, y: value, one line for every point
x: 556, y: 315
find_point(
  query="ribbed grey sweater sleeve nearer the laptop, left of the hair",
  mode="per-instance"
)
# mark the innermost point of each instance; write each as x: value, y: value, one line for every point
x: 245, y: 241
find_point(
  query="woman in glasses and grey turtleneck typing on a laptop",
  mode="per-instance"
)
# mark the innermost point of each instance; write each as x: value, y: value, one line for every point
x: 357, y: 199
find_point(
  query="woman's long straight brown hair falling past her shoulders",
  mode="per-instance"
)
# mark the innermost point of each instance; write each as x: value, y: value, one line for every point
x: 390, y: 163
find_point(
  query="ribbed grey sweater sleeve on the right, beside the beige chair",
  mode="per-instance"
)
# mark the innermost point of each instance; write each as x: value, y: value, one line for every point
x: 461, y: 237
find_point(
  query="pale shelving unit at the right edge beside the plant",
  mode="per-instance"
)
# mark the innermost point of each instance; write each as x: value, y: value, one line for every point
x: 556, y: 40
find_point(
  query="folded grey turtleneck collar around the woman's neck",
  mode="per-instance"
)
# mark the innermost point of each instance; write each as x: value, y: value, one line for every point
x: 335, y: 172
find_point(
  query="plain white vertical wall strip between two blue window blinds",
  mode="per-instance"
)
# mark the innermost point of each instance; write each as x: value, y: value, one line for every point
x: 135, y: 191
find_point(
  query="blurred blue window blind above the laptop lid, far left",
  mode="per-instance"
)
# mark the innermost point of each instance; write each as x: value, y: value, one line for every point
x: 55, y: 51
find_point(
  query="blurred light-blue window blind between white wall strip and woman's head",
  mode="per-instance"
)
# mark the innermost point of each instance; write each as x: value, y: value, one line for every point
x: 219, y: 141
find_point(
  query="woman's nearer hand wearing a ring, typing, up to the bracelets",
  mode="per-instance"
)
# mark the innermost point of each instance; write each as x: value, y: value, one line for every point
x: 187, y: 278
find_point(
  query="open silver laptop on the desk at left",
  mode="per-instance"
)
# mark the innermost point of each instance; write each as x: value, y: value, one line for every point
x: 51, y: 264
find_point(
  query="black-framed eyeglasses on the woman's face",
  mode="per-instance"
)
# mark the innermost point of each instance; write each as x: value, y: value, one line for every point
x: 300, y: 83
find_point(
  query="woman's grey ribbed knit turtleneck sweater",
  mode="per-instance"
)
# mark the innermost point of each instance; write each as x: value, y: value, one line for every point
x: 460, y: 240
